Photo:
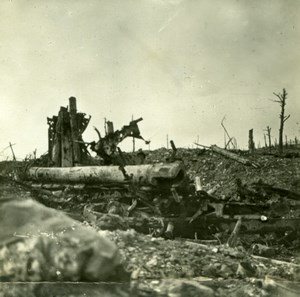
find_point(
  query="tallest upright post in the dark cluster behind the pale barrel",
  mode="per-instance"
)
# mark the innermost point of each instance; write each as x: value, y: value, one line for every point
x: 74, y: 131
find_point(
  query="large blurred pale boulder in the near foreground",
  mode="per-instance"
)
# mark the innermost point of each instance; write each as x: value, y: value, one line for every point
x: 43, y: 244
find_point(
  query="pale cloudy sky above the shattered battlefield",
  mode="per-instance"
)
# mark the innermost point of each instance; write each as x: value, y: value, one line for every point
x: 181, y: 65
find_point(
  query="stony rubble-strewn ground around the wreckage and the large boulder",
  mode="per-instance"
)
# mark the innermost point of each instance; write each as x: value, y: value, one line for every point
x: 258, y: 264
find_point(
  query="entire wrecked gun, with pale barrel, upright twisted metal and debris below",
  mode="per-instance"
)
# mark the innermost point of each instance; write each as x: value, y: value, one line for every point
x: 159, y: 196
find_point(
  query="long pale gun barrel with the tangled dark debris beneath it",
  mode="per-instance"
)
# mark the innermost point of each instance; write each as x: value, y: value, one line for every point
x: 157, y: 198
